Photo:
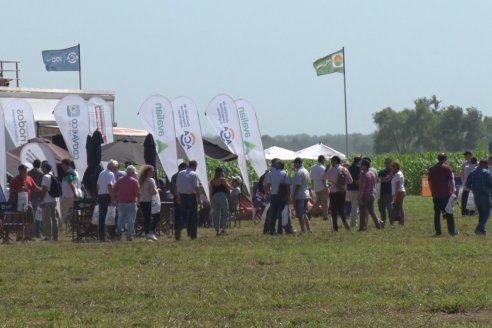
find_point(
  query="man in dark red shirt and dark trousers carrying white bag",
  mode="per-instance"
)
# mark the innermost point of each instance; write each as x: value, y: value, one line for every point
x: 441, y: 186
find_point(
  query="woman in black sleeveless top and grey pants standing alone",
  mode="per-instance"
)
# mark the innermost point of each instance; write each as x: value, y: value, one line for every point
x: 219, y: 190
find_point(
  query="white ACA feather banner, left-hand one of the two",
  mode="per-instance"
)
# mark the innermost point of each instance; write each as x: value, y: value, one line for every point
x: 189, y: 135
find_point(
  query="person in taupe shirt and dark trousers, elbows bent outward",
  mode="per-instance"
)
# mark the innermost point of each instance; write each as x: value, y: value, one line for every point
x: 338, y: 177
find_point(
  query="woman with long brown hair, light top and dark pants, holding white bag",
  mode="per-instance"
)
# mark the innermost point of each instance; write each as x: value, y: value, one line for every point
x: 148, y: 190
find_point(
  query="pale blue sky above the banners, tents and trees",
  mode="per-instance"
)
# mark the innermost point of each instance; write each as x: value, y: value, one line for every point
x: 262, y: 51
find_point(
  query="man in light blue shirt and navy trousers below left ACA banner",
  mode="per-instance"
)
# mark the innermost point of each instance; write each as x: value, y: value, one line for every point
x: 189, y: 196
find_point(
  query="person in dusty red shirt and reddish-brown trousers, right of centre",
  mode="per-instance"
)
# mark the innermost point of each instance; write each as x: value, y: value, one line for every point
x: 367, y: 182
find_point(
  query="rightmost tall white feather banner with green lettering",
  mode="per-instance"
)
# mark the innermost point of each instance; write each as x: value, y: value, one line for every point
x: 253, y: 146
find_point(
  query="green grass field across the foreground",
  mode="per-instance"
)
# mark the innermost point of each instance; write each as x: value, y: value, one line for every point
x: 398, y: 277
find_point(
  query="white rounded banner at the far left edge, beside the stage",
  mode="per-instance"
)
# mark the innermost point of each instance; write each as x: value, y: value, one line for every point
x: 19, y: 121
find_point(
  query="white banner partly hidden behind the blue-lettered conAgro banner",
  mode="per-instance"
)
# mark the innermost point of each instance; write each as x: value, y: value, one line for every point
x: 100, y: 118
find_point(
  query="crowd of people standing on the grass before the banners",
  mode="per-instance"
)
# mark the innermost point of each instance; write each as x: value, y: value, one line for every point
x: 346, y: 191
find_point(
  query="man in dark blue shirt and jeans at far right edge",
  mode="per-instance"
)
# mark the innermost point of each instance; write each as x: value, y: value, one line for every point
x: 480, y: 183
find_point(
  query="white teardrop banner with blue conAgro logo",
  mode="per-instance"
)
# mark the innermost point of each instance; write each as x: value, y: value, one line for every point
x: 72, y: 116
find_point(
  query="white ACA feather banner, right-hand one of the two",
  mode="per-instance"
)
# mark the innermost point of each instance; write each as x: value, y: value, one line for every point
x: 222, y: 113
